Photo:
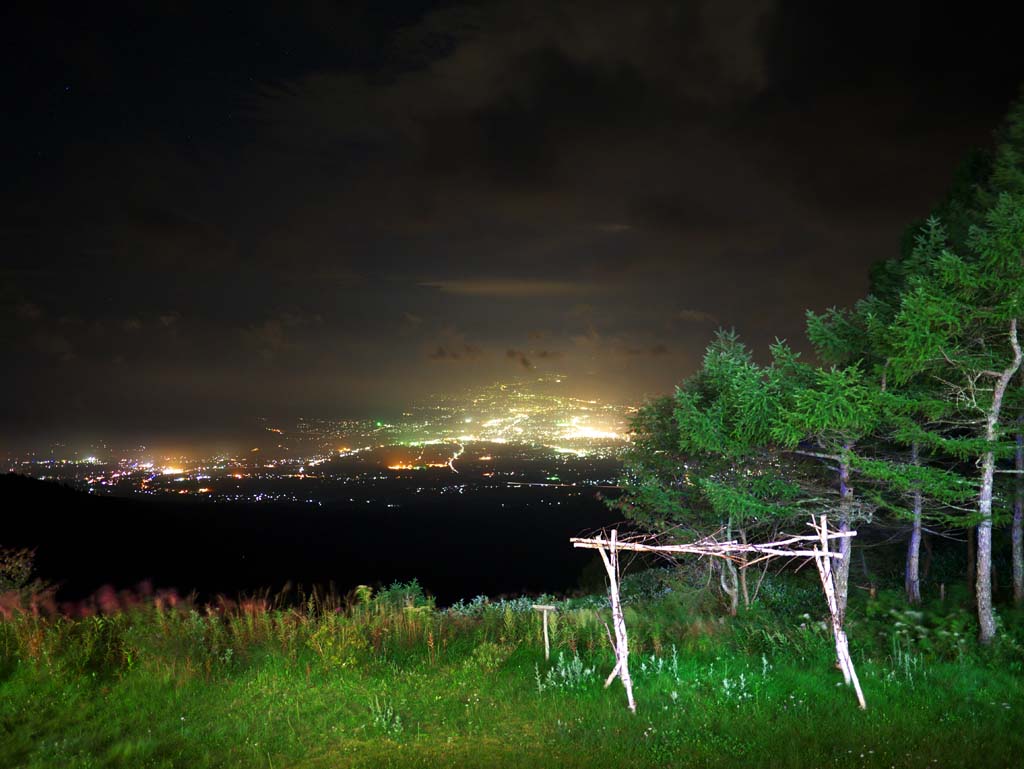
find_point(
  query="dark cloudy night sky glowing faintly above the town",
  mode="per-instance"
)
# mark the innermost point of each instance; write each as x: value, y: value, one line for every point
x: 214, y: 211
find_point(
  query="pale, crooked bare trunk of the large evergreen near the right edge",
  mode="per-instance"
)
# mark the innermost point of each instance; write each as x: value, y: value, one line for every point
x: 984, y: 587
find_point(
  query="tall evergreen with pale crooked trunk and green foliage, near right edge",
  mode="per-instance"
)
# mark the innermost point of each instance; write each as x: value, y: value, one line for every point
x: 958, y: 324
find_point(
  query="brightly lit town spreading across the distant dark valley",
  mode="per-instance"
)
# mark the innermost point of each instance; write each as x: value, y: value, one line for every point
x: 507, y: 436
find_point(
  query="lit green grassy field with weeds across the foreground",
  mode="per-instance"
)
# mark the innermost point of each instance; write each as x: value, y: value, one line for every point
x: 387, y: 680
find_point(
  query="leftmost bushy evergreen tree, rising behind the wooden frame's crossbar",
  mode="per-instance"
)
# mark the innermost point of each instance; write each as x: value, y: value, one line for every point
x: 705, y: 462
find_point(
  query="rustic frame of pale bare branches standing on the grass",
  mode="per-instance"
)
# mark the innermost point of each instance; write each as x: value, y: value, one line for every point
x: 815, y: 547
